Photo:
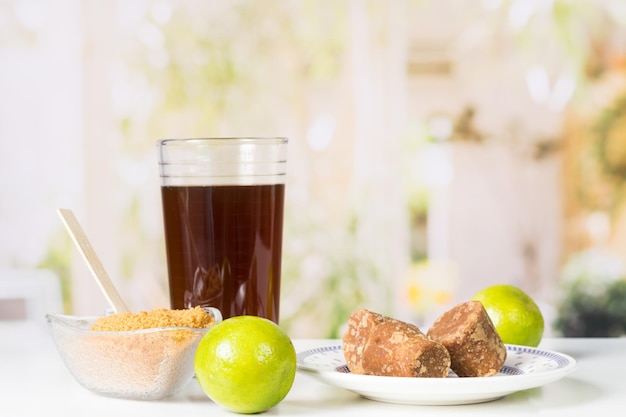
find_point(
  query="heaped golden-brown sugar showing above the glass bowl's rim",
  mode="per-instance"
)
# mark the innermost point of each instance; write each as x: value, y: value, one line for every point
x: 195, y: 317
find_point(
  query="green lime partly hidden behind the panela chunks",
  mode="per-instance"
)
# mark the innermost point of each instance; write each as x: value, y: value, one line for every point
x: 515, y: 315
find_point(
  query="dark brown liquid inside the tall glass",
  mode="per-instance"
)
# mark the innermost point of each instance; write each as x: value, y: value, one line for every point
x: 224, y: 245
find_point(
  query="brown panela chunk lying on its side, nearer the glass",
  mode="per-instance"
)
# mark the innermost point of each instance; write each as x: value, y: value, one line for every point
x: 374, y: 344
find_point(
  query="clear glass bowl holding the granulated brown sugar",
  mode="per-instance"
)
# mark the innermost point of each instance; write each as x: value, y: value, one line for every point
x: 146, y: 364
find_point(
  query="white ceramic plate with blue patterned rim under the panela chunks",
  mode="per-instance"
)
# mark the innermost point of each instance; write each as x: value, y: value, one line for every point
x: 524, y: 368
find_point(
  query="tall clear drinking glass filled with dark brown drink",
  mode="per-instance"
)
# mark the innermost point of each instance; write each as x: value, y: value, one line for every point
x: 223, y: 203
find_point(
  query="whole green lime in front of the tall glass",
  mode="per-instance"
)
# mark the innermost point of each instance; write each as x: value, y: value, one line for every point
x: 246, y: 364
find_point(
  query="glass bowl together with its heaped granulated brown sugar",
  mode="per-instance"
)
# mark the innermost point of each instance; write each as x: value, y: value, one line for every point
x: 145, y: 355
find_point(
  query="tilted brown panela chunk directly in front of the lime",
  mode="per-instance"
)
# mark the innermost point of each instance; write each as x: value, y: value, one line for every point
x: 468, y: 333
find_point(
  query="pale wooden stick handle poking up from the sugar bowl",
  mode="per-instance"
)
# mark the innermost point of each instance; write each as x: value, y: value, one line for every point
x: 89, y: 255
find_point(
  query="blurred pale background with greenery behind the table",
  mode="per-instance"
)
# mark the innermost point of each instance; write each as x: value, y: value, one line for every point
x: 436, y: 147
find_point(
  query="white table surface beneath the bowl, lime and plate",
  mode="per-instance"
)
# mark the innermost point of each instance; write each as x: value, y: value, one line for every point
x: 35, y: 382
